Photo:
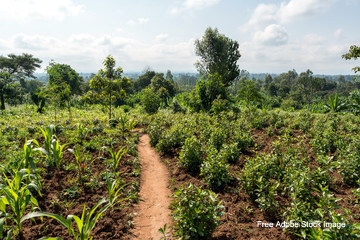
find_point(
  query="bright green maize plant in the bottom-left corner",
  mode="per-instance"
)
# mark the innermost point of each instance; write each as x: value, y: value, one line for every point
x: 16, y: 198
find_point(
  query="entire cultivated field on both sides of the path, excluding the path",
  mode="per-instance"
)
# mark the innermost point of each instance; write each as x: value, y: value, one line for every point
x: 231, y: 175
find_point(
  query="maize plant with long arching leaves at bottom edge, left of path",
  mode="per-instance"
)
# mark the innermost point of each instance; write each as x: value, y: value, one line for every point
x: 85, y: 224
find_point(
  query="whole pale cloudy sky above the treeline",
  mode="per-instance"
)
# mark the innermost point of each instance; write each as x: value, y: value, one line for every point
x: 274, y: 36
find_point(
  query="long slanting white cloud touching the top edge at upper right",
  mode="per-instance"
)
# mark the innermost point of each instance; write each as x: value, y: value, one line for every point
x: 265, y: 14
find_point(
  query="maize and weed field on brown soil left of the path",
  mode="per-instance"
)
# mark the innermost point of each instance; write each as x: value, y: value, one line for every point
x: 98, y: 163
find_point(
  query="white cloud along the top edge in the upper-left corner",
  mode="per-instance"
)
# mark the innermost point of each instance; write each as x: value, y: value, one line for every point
x: 54, y: 9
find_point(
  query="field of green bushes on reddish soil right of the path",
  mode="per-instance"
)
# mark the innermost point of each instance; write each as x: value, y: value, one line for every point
x: 273, y: 166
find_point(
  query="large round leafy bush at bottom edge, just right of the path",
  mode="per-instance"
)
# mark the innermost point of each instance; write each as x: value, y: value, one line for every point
x: 196, y: 212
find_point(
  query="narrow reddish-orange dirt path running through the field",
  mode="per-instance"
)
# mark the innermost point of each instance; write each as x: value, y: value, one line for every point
x: 152, y: 210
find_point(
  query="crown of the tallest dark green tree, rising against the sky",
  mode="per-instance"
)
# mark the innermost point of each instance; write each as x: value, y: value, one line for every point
x: 219, y: 55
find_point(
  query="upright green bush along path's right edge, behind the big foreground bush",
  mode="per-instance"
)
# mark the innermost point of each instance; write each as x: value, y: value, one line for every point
x: 190, y: 156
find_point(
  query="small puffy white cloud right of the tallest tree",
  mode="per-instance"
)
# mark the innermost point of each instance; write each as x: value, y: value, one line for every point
x: 272, y: 35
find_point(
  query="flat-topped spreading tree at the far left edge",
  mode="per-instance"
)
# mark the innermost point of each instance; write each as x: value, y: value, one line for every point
x: 12, y: 69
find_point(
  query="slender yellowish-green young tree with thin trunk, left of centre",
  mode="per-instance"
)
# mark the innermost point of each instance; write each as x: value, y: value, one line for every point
x: 108, y: 84
